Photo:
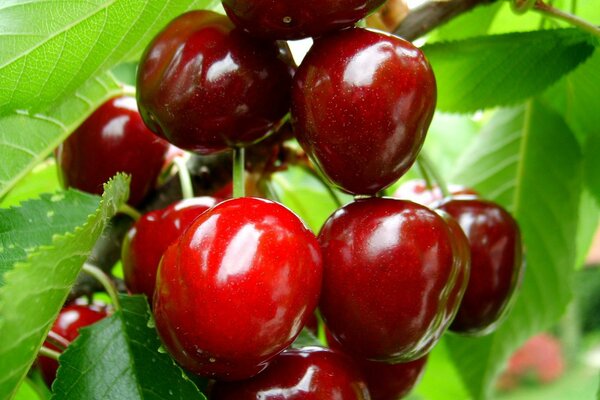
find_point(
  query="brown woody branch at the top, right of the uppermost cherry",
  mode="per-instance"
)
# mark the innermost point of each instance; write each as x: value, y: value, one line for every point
x: 430, y: 15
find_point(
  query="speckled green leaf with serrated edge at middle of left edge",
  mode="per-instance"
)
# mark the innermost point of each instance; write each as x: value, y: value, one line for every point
x: 25, y: 228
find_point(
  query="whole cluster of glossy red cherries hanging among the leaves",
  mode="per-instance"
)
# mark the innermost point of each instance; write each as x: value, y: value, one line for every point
x: 233, y: 282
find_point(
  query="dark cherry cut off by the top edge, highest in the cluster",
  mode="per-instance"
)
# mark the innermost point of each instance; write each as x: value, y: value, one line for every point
x: 293, y: 19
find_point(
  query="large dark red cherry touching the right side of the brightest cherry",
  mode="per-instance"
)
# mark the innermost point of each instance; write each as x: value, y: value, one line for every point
x: 390, y: 278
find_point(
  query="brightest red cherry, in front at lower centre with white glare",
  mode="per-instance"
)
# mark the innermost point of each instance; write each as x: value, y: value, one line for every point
x: 237, y: 288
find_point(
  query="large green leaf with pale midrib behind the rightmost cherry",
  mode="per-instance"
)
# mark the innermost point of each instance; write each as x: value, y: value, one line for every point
x: 528, y: 160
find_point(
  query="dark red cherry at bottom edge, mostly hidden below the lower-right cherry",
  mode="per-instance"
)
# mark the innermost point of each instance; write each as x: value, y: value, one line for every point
x: 386, y: 381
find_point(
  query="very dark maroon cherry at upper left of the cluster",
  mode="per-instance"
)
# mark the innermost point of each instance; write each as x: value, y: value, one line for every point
x: 204, y: 85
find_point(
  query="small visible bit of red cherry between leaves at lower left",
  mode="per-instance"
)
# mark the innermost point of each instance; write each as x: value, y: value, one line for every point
x: 66, y: 326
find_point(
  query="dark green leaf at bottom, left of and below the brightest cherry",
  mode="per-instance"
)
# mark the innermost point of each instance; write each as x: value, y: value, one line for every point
x: 118, y: 358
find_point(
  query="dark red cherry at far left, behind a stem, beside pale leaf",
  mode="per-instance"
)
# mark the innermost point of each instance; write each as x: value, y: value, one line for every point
x: 113, y: 139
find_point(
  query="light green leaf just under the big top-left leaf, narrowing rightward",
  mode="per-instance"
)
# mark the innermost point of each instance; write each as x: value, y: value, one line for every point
x: 46, y: 130
